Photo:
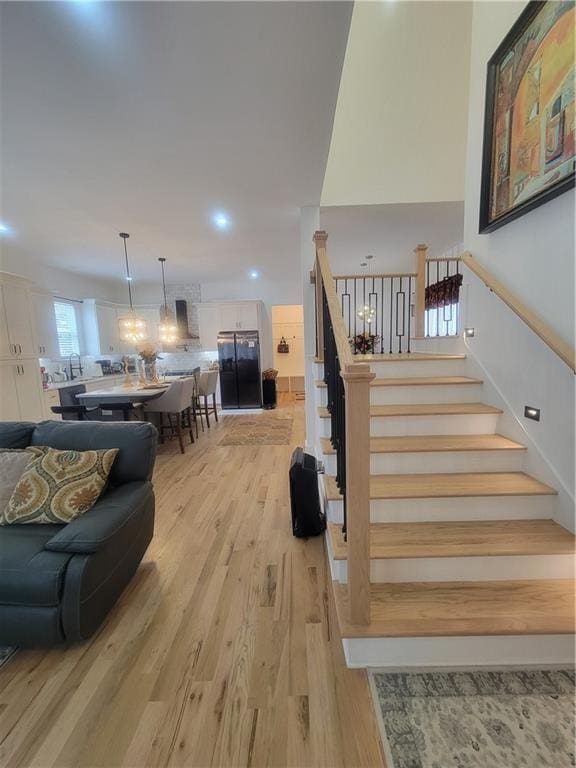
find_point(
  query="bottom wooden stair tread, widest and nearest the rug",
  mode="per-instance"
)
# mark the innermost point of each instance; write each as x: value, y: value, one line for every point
x: 436, y: 609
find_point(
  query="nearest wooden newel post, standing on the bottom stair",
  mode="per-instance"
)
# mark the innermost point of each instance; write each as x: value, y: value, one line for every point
x: 357, y: 378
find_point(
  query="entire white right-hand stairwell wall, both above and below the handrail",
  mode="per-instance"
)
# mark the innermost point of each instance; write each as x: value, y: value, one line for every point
x: 534, y: 257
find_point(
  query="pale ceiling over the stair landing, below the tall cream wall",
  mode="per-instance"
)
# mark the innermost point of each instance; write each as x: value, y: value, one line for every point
x: 389, y: 233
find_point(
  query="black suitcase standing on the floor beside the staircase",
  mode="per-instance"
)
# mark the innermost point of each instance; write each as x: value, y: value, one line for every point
x: 307, y: 516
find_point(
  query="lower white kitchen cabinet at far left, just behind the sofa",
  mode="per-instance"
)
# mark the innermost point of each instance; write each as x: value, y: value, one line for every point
x: 21, y: 390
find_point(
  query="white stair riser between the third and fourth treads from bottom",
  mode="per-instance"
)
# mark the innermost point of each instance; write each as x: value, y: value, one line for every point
x: 438, y: 461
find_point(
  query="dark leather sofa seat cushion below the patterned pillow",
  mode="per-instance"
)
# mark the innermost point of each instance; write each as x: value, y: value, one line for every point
x: 29, y: 574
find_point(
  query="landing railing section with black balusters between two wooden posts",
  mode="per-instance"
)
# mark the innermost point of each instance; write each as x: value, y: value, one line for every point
x: 380, y: 306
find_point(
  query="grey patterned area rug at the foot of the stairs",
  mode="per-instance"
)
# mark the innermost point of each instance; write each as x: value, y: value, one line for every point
x: 476, y: 719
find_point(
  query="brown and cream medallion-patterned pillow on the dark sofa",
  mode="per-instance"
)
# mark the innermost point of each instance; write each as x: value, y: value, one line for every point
x: 58, y: 486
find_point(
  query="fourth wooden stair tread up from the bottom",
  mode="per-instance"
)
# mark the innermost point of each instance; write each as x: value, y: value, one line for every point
x: 429, y: 443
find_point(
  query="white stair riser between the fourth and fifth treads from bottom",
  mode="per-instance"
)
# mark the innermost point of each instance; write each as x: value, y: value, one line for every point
x: 443, y: 424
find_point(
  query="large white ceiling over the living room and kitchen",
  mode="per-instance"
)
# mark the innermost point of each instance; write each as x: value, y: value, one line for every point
x: 147, y: 117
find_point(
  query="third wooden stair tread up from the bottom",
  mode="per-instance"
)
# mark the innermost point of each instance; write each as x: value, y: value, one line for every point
x: 447, y: 485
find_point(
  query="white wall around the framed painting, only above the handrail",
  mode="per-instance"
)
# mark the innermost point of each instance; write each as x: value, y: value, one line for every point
x: 534, y: 255
